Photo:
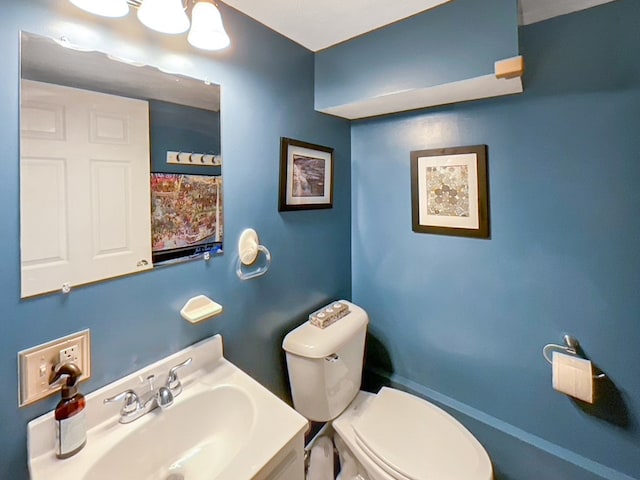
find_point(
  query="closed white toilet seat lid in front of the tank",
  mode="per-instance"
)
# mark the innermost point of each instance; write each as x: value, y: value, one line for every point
x: 411, y: 439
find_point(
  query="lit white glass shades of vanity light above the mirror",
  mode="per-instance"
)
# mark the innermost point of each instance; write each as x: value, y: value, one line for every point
x: 169, y: 16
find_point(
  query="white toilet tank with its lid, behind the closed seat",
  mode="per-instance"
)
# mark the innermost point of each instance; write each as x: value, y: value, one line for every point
x: 325, y: 364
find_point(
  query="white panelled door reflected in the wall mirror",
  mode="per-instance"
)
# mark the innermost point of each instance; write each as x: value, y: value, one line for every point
x: 84, y: 187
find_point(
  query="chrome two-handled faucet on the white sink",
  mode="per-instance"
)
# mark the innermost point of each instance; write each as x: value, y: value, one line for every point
x: 135, y: 406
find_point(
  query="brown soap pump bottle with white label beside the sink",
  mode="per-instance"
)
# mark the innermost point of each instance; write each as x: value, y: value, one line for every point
x: 71, y: 429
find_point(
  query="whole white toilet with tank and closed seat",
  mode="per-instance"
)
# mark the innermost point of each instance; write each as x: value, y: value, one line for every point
x: 391, y: 435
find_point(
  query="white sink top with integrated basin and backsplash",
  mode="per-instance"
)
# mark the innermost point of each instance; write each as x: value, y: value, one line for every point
x: 224, y: 425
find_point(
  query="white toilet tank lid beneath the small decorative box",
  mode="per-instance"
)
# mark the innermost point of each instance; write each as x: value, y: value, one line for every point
x: 313, y: 342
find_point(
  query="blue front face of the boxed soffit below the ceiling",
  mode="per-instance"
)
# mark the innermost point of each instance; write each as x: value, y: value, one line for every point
x: 456, y: 41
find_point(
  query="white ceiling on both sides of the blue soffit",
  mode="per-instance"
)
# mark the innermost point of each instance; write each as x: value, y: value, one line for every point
x: 318, y: 24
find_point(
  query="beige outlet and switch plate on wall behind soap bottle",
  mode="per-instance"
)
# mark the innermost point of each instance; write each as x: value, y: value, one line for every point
x: 36, y: 365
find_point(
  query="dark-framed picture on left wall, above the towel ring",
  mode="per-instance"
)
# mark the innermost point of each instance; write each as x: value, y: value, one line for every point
x: 306, y: 176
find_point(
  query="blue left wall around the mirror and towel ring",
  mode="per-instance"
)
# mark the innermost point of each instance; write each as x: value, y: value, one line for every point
x: 267, y: 92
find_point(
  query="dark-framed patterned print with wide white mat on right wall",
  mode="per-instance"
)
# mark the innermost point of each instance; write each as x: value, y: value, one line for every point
x: 449, y: 191
